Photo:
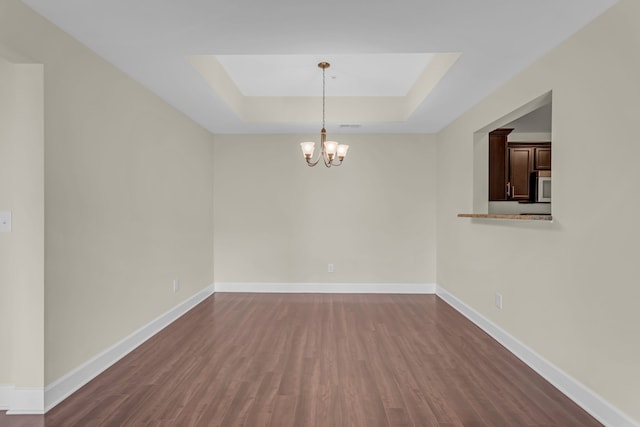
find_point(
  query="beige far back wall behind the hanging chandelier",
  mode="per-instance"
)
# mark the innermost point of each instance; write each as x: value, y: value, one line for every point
x: 277, y: 220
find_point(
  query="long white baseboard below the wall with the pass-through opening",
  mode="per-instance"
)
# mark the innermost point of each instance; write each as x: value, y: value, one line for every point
x: 588, y: 400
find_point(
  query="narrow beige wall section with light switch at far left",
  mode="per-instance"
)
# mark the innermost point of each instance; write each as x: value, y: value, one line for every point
x: 22, y: 250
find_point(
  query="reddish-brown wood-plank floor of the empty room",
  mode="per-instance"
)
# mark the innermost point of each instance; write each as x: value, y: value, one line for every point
x: 320, y: 360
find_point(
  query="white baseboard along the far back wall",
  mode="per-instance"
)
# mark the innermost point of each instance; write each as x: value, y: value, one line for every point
x: 324, y: 288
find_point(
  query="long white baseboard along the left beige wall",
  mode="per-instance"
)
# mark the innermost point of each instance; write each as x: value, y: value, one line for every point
x: 63, y: 387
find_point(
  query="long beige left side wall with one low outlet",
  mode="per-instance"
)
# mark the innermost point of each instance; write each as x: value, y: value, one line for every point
x: 128, y: 196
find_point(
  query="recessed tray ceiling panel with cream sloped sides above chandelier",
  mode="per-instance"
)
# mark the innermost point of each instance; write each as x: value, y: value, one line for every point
x: 285, y: 103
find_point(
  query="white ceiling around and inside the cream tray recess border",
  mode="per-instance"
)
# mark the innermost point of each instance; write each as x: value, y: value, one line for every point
x: 151, y: 41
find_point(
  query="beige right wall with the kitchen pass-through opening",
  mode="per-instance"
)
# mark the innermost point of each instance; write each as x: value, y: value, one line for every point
x: 570, y: 287
